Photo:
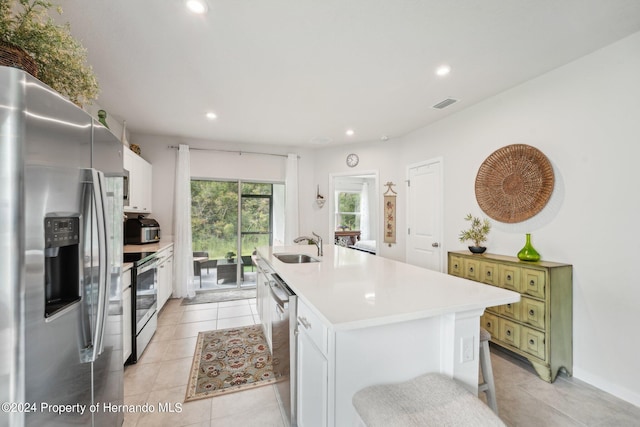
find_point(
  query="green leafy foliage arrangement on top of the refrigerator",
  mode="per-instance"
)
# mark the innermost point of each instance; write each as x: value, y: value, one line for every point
x: 61, y: 59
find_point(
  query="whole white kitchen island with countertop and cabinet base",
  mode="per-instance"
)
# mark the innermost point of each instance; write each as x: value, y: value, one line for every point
x: 366, y: 320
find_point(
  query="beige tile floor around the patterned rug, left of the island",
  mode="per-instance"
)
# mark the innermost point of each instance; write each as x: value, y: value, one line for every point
x: 161, y: 374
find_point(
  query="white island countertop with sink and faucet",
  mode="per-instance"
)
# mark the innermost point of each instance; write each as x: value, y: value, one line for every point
x: 352, y: 289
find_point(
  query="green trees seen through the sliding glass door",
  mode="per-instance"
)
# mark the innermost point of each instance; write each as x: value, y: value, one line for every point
x: 214, y: 216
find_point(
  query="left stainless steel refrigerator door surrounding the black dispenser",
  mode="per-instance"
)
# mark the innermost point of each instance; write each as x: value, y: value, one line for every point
x: 56, y: 139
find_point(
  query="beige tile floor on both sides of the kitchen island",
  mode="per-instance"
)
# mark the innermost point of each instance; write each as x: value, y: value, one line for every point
x: 162, y: 372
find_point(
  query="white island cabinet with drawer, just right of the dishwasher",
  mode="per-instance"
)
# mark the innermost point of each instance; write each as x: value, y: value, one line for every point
x: 313, y: 369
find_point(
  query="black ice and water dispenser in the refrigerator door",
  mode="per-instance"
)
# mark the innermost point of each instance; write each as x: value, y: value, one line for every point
x: 61, y: 265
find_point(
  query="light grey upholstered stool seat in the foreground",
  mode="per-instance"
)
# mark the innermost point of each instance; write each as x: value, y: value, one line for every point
x: 429, y: 400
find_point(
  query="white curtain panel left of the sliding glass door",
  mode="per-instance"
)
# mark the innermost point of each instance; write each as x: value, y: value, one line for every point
x: 183, y: 254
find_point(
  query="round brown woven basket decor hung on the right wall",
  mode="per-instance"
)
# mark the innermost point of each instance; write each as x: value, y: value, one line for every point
x: 514, y: 183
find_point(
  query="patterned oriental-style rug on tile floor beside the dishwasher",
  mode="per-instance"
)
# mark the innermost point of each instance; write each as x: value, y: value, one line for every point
x: 229, y: 360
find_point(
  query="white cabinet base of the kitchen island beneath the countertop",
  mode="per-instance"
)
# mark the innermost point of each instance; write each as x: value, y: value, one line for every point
x: 334, y: 364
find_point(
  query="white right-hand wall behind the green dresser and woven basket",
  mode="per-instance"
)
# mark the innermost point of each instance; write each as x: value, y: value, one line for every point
x: 585, y: 117
